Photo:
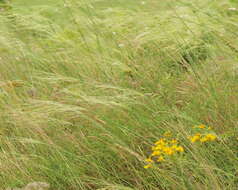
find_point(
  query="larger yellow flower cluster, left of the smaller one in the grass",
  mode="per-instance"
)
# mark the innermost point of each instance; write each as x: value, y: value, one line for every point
x: 162, y: 149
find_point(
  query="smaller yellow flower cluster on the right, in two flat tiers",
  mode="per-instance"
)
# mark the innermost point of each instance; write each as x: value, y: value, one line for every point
x: 202, y: 137
